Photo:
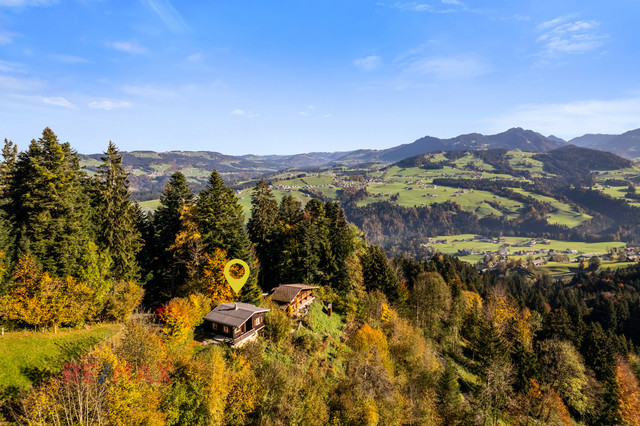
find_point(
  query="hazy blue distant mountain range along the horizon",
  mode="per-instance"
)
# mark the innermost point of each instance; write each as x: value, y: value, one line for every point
x: 150, y: 170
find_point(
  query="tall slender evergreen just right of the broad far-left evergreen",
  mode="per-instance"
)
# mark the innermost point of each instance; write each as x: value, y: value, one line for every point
x: 116, y: 216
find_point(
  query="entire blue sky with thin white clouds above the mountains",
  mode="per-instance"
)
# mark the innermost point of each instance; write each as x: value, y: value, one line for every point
x: 281, y: 77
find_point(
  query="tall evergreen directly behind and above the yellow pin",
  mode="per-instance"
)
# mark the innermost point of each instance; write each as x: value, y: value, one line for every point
x: 221, y: 223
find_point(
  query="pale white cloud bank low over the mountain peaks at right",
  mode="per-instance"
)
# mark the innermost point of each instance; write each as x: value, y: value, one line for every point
x: 573, y: 119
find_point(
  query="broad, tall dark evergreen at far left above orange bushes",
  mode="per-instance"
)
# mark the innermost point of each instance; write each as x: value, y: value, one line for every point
x: 49, y: 206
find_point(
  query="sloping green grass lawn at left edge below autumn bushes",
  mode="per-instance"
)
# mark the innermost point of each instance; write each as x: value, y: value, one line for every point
x: 28, y: 355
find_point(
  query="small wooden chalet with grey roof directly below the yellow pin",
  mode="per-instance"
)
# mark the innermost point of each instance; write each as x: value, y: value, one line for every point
x: 236, y: 323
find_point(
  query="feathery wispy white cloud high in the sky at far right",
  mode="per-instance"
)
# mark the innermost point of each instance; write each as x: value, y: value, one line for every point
x: 563, y: 35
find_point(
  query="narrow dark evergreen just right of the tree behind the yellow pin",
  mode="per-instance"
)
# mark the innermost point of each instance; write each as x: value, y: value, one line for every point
x: 262, y: 230
